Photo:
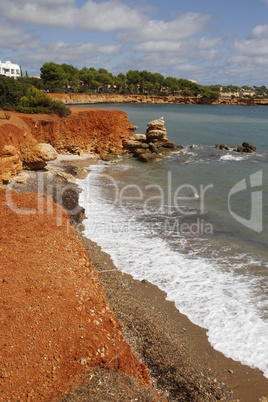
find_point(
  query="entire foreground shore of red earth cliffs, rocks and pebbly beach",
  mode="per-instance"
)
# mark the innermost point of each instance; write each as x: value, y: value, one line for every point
x: 73, y: 327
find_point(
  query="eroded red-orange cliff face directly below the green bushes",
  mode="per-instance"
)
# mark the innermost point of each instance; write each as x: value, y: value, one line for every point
x: 90, y: 130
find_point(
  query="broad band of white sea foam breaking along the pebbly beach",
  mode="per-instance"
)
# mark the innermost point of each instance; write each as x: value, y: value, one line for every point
x: 214, y: 298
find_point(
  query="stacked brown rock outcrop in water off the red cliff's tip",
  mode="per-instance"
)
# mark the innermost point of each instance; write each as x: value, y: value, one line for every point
x: 153, y: 145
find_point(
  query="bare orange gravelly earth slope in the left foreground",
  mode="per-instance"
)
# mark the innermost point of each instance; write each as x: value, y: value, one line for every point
x: 55, y: 322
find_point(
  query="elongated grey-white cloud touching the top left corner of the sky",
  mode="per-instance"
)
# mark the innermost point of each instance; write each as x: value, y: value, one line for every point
x: 106, y: 16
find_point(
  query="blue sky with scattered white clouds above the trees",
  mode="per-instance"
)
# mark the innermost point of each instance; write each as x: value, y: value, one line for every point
x: 209, y: 41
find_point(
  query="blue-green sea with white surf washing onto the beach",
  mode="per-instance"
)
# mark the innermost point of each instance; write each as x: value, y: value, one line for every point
x: 196, y: 223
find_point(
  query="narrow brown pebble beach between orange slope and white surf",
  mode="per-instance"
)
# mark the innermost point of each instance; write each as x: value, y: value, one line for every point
x: 180, y: 360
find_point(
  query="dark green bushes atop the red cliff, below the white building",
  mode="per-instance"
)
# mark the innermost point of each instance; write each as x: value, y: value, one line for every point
x: 23, y: 95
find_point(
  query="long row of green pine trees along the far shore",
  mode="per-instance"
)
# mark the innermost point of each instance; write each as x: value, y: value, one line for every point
x: 60, y: 78
